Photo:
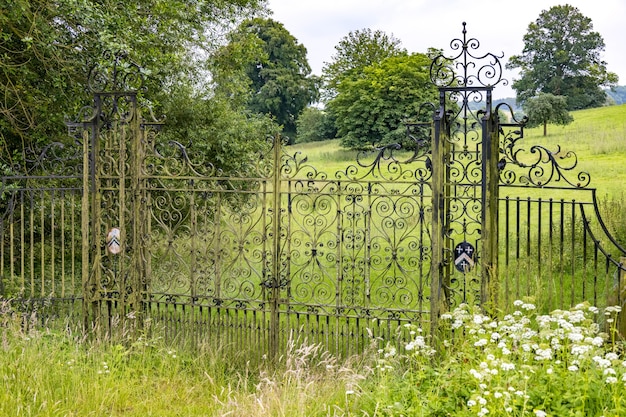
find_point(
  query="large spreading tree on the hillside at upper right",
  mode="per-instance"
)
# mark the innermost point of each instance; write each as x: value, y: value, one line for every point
x: 562, y: 56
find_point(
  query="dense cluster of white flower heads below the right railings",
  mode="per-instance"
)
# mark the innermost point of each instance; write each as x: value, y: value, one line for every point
x: 515, y: 350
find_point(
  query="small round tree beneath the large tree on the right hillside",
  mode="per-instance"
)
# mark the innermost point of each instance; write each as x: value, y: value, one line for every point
x: 547, y: 108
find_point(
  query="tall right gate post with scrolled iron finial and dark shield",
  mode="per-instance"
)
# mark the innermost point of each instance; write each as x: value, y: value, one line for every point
x: 465, y: 178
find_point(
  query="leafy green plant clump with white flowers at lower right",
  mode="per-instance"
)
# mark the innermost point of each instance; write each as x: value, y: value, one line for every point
x: 522, y: 364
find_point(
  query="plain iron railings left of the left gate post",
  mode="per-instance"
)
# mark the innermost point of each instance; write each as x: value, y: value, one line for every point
x: 40, y: 235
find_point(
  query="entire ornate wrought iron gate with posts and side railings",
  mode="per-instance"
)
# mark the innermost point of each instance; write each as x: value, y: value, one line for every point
x: 138, y: 228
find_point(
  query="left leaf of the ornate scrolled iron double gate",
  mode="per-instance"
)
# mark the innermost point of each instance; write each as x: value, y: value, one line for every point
x: 210, y: 247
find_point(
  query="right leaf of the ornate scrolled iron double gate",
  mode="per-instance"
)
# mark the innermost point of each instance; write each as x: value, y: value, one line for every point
x: 356, y: 250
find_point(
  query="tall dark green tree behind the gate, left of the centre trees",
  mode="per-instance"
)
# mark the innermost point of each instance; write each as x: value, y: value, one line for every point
x: 278, y: 73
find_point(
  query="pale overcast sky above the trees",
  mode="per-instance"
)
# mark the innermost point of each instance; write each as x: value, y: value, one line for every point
x: 499, y: 25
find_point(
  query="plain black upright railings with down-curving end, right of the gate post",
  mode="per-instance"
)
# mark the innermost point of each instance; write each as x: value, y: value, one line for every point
x: 557, y: 251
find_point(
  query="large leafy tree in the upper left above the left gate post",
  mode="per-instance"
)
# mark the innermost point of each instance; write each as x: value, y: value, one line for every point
x: 47, y: 47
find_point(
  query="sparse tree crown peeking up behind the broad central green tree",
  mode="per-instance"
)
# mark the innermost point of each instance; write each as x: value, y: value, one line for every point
x: 356, y: 51
